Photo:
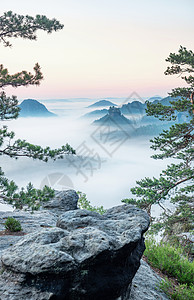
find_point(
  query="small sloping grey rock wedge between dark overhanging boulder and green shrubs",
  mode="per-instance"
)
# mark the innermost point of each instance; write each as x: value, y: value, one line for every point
x: 145, y: 285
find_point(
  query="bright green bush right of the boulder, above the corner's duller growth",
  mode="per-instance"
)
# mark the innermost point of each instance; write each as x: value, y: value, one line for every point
x: 170, y: 261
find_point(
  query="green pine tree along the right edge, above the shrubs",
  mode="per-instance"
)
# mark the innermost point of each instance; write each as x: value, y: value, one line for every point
x: 176, y: 182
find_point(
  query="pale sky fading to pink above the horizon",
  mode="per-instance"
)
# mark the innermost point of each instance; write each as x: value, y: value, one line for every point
x: 108, y: 48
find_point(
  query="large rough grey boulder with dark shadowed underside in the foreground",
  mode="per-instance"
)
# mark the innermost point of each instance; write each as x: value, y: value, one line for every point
x: 87, y: 256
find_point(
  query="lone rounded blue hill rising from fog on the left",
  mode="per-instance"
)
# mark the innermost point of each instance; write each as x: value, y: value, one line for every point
x: 33, y: 108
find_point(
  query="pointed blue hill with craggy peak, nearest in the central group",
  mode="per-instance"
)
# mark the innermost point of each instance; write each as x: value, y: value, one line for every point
x: 113, y: 118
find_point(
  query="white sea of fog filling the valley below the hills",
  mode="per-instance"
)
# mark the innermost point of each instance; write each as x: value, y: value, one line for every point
x: 105, y: 171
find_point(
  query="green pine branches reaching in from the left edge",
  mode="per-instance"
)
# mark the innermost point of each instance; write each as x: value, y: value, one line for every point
x: 26, y: 27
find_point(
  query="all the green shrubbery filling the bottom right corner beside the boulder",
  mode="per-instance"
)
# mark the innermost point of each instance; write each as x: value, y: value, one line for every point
x: 171, y: 262
